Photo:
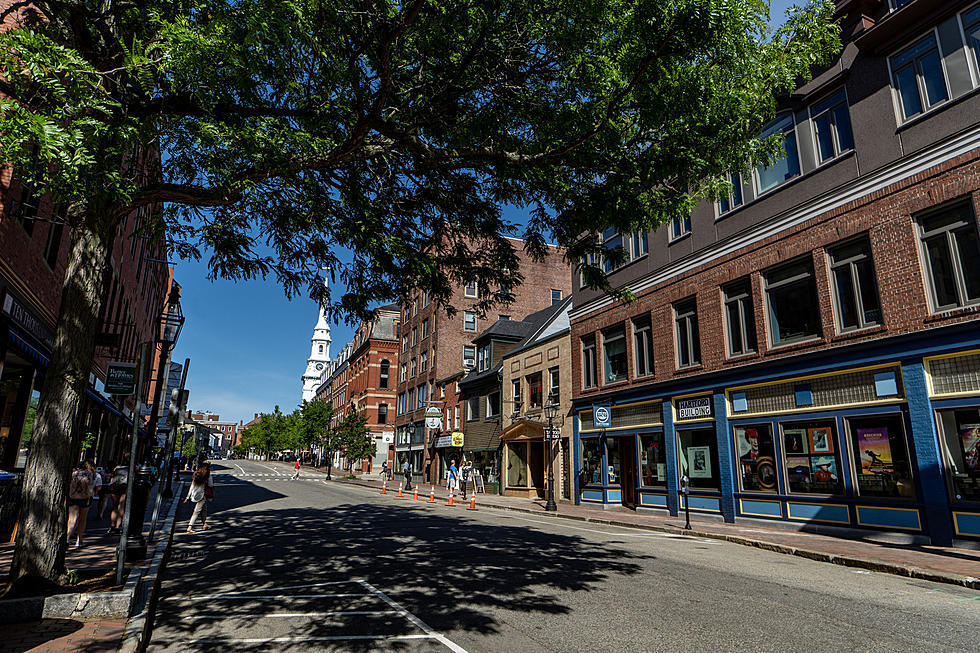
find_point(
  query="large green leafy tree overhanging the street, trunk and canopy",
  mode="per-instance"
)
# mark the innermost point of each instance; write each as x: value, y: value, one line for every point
x: 270, y: 135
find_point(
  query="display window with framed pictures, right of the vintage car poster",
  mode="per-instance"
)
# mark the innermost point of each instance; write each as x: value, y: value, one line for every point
x: 812, y: 459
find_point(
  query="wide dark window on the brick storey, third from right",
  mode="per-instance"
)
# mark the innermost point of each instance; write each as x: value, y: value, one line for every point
x: 794, y: 311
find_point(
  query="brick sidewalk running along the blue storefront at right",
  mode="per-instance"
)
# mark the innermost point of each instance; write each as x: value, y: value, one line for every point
x: 954, y: 565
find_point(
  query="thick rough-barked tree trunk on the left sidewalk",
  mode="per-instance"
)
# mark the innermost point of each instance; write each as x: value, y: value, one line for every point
x: 40, y: 546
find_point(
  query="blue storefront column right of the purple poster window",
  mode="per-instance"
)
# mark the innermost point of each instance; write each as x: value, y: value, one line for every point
x: 925, y: 441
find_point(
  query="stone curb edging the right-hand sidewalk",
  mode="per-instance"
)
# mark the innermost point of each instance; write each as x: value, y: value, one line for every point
x: 908, y: 571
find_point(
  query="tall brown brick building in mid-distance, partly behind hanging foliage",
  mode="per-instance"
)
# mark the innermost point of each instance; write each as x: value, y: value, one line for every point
x: 436, y: 351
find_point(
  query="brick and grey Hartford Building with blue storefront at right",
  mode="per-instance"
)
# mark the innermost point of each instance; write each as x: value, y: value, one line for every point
x: 806, y: 349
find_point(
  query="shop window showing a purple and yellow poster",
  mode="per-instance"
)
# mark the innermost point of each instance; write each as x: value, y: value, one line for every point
x: 882, y: 467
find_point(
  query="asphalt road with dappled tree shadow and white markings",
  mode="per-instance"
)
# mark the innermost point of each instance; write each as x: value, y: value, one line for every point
x: 308, y: 565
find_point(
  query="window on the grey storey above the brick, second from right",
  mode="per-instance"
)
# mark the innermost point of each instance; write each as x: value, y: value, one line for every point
x: 919, y: 79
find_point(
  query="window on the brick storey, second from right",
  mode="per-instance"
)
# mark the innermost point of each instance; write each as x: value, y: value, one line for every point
x: 852, y: 275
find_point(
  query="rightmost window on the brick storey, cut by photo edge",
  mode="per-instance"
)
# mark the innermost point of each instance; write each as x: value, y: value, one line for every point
x: 952, y: 257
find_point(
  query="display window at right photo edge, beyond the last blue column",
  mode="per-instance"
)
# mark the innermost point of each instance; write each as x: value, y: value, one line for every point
x: 959, y: 429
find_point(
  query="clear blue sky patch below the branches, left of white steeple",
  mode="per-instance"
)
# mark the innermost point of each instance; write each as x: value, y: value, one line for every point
x: 248, y: 344
